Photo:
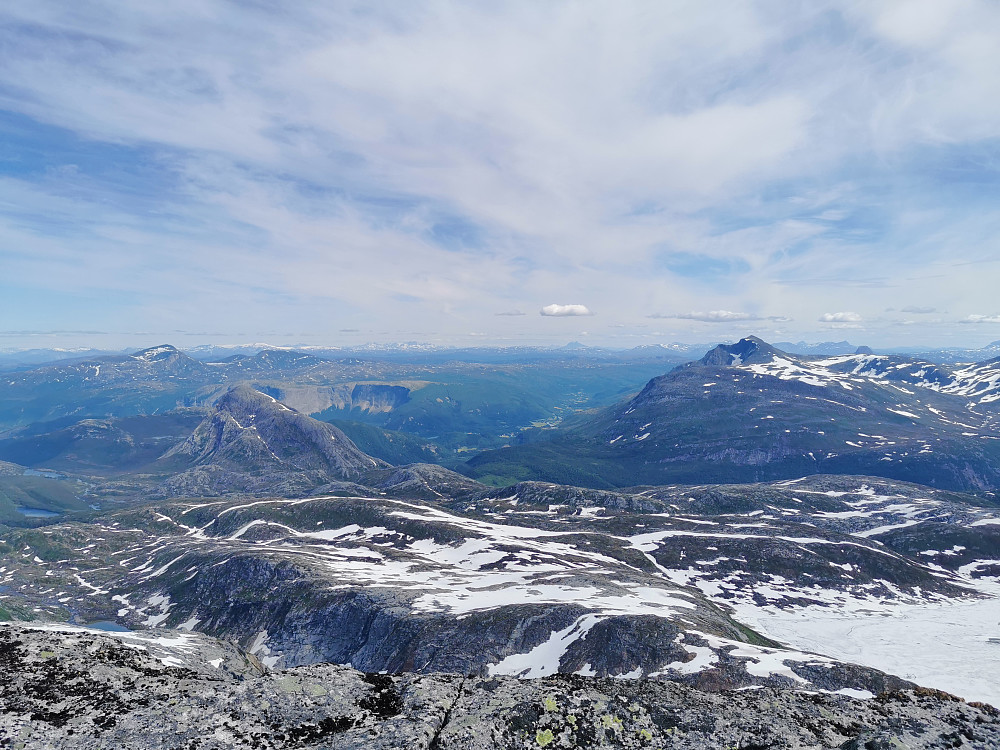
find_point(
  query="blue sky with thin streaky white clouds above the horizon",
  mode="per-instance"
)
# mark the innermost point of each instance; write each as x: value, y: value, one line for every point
x: 481, y: 173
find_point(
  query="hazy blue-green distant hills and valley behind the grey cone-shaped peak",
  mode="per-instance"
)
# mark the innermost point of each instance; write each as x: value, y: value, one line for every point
x: 451, y: 402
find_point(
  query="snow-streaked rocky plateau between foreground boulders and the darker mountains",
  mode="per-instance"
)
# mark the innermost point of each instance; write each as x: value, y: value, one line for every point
x: 512, y: 588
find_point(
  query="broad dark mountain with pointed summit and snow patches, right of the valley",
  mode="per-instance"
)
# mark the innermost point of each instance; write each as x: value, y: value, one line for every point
x: 749, y: 412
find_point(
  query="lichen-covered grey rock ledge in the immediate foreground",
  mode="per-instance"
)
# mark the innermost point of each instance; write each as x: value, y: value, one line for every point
x: 68, y: 688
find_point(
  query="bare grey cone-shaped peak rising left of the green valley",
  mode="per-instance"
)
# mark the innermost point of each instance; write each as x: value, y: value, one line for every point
x: 250, y: 434
